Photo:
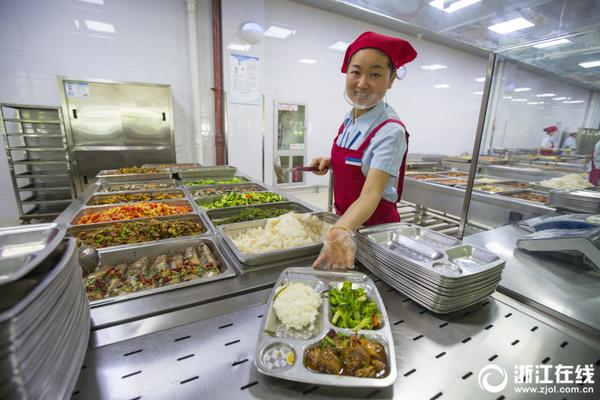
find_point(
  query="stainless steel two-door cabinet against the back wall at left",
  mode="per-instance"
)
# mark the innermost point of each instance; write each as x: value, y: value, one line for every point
x: 114, y: 124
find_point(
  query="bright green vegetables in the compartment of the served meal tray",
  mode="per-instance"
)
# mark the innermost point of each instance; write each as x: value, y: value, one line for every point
x: 352, y: 308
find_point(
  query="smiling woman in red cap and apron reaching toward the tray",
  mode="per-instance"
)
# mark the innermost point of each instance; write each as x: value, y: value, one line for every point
x: 369, y: 152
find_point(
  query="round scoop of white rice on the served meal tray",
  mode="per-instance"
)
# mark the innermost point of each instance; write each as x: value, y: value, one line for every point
x: 297, y: 306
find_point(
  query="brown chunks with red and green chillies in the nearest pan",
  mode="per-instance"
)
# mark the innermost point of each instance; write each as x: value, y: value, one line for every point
x: 115, y: 280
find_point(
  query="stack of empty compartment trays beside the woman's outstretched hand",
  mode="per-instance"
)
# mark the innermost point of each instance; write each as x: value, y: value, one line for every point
x: 433, y: 269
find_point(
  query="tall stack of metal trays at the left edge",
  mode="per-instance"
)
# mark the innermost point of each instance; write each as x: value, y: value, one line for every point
x: 44, y: 313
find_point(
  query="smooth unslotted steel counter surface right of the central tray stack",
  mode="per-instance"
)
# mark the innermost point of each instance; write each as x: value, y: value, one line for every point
x: 568, y: 291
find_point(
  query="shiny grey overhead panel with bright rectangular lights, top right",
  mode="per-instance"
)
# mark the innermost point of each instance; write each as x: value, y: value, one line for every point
x: 577, y: 21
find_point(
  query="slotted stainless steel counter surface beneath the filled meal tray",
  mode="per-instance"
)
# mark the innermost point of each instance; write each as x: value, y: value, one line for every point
x: 208, y: 352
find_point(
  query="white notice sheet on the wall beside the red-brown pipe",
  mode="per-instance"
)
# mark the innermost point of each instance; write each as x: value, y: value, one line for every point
x: 243, y: 79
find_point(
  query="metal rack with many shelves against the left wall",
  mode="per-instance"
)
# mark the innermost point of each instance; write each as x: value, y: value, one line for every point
x: 38, y: 159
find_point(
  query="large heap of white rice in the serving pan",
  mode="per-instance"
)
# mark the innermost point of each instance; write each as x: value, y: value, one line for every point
x: 288, y: 231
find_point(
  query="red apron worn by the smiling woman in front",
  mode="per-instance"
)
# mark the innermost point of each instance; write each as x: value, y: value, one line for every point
x: 349, y: 180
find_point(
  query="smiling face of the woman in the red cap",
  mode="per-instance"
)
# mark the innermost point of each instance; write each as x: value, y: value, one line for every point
x: 368, y: 78
